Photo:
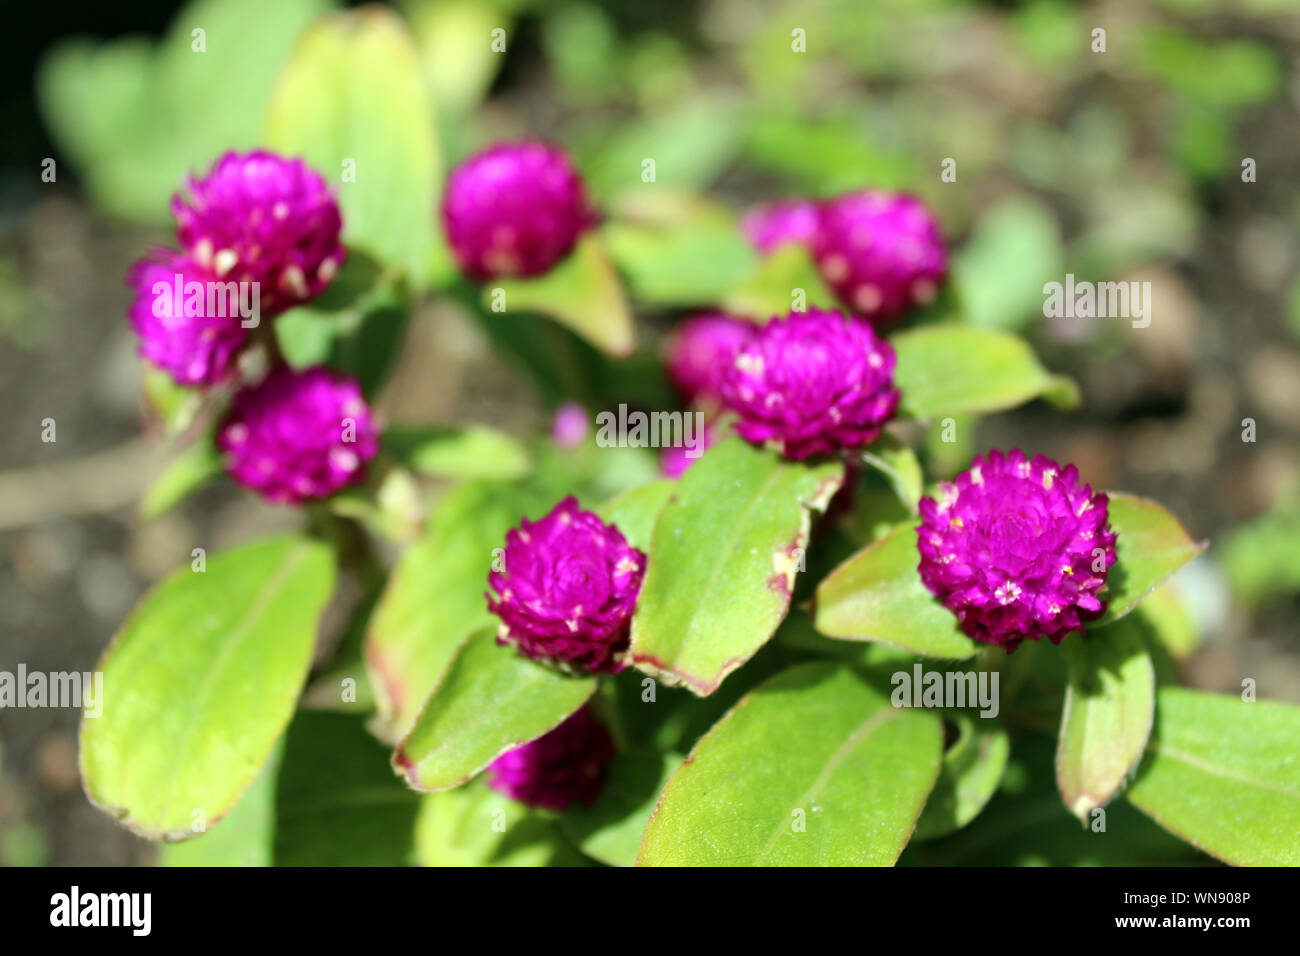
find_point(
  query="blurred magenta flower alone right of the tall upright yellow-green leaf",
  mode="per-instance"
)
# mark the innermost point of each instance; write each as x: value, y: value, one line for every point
x: 514, y: 210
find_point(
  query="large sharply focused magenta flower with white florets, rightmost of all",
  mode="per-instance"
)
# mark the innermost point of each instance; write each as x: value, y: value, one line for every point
x: 1017, y: 550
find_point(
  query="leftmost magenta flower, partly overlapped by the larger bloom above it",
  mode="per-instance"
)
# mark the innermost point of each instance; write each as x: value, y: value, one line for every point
x: 180, y: 334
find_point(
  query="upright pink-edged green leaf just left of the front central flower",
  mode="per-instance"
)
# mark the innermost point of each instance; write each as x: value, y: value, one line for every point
x: 435, y: 598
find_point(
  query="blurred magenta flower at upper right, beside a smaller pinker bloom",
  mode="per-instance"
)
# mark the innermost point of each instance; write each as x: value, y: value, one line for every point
x: 881, y: 253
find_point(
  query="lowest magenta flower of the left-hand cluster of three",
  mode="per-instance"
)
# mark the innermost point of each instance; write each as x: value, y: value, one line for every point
x: 298, y: 436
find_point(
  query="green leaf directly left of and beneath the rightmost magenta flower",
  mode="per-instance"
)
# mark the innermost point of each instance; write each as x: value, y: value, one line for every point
x: 878, y: 596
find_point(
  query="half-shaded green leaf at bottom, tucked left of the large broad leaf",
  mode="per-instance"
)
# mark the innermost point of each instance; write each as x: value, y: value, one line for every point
x: 610, y: 830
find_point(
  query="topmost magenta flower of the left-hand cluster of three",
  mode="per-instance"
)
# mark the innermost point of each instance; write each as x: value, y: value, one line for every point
x: 259, y: 218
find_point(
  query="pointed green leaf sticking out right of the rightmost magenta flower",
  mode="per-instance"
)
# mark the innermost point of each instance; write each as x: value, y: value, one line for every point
x: 1150, y: 547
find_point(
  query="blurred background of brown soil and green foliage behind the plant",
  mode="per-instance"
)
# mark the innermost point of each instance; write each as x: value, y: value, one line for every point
x: 1125, y: 165
